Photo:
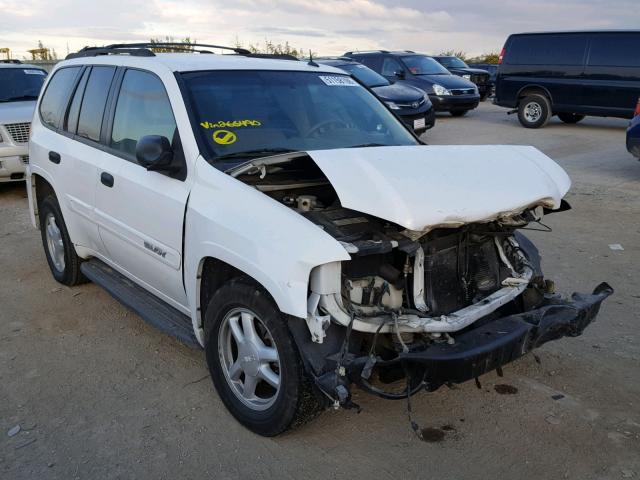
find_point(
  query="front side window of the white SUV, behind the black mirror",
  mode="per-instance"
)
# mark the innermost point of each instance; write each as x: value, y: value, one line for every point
x: 143, y: 108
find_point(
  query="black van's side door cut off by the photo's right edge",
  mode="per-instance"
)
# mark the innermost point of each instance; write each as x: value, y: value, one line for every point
x: 612, y: 74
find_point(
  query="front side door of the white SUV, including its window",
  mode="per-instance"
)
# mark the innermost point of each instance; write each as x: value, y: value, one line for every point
x: 140, y: 213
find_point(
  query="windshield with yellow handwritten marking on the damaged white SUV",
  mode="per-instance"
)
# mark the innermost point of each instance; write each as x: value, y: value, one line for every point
x: 248, y: 114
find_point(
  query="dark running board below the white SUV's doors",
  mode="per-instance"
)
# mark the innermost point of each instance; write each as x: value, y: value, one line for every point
x: 153, y: 310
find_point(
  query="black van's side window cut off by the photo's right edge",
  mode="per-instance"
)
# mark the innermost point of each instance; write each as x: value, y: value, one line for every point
x: 615, y: 50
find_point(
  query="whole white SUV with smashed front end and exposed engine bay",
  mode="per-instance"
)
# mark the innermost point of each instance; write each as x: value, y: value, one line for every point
x: 277, y: 214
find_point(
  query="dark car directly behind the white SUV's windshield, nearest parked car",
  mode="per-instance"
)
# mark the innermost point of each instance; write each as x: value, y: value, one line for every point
x: 410, y: 104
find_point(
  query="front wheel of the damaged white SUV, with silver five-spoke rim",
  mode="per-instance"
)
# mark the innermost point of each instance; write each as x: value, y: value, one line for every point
x: 253, y: 360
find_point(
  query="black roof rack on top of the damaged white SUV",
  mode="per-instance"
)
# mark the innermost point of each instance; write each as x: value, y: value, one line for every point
x: 146, y: 49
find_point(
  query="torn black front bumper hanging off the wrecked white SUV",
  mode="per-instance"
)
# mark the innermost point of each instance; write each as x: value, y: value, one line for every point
x: 476, y: 350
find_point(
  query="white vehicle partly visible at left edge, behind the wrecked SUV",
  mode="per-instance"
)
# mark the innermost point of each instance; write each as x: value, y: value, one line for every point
x: 20, y: 85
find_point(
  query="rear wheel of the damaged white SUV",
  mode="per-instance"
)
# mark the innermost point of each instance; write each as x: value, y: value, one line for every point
x: 61, y: 255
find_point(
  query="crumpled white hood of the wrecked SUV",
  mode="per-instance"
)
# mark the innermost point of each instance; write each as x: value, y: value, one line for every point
x: 423, y: 187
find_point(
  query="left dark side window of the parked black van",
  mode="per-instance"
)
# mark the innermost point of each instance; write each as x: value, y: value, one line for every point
x: 561, y: 49
